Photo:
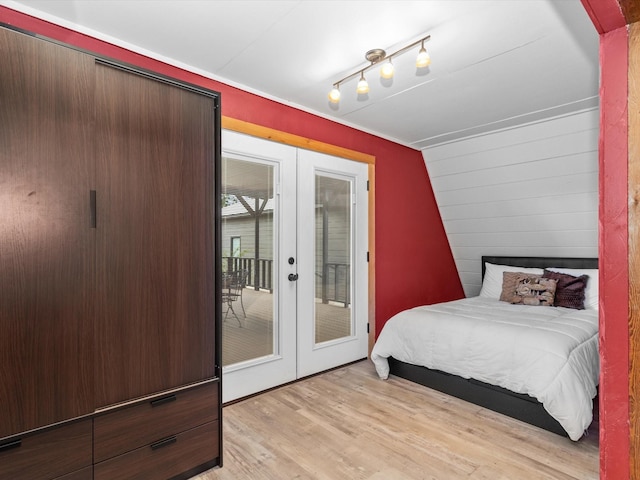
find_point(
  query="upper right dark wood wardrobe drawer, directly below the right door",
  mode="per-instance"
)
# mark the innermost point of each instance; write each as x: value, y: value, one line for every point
x: 140, y: 424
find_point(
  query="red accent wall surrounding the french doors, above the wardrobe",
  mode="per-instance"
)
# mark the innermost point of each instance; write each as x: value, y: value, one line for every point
x: 414, y: 264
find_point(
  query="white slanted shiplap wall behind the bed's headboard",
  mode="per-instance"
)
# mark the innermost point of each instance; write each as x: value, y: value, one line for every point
x: 530, y: 190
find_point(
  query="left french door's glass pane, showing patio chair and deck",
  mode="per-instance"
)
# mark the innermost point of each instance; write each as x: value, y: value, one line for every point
x: 248, y: 286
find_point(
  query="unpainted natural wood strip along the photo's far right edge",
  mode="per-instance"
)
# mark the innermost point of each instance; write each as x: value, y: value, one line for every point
x: 634, y: 250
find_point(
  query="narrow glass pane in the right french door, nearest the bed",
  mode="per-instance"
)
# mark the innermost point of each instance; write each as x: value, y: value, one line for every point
x: 333, y: 259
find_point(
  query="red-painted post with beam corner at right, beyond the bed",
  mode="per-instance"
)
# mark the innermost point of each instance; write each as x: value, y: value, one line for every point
x: 609, y: 21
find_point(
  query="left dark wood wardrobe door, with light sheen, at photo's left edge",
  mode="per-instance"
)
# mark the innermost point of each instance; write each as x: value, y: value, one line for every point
x: 46, y: 240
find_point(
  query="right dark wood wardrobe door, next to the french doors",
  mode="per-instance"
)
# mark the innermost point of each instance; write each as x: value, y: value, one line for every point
x: 155, y: 219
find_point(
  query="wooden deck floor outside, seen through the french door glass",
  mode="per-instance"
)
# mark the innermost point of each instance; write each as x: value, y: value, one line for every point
x: 249, y: 337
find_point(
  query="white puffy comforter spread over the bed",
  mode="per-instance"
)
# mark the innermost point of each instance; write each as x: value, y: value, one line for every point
x: 550, y: 353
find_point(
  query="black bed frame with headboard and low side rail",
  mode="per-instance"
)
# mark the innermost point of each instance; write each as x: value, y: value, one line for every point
x: 516, y: 405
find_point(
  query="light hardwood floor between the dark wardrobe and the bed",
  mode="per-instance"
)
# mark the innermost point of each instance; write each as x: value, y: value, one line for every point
x: 348, y: 424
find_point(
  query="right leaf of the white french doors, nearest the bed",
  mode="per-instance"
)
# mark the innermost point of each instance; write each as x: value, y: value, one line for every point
x: 332, y: 244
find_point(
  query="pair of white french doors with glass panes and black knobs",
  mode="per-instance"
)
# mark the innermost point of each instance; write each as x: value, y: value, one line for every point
x: 294, y: 227
